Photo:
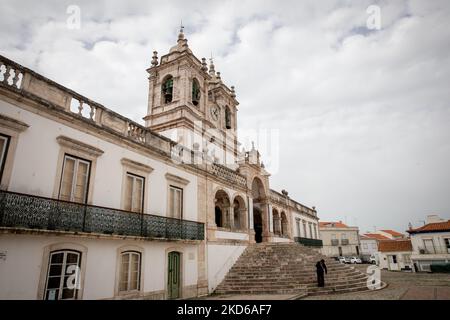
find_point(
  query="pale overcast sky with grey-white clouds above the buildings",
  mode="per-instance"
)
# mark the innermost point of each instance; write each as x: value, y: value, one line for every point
x: 363, y: 115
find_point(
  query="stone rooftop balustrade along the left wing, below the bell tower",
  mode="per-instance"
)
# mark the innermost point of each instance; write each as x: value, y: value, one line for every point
x: 22, y: 80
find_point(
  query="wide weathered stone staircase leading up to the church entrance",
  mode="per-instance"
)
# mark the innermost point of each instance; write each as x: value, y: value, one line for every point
x: 287, y: 268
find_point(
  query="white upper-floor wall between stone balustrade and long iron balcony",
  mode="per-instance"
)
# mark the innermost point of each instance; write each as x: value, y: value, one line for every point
x: 35, y: 165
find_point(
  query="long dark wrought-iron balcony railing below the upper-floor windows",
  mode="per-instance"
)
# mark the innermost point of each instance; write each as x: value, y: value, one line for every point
x: 33, y: 212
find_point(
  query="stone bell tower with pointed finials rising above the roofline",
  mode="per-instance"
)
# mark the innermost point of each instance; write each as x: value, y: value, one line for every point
x: 187, y: 100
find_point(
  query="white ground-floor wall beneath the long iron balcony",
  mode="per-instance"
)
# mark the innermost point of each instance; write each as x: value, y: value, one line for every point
x: 20, y: 272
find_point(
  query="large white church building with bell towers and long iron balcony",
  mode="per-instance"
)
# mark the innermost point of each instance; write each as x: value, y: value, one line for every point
x: 96, y: 206
